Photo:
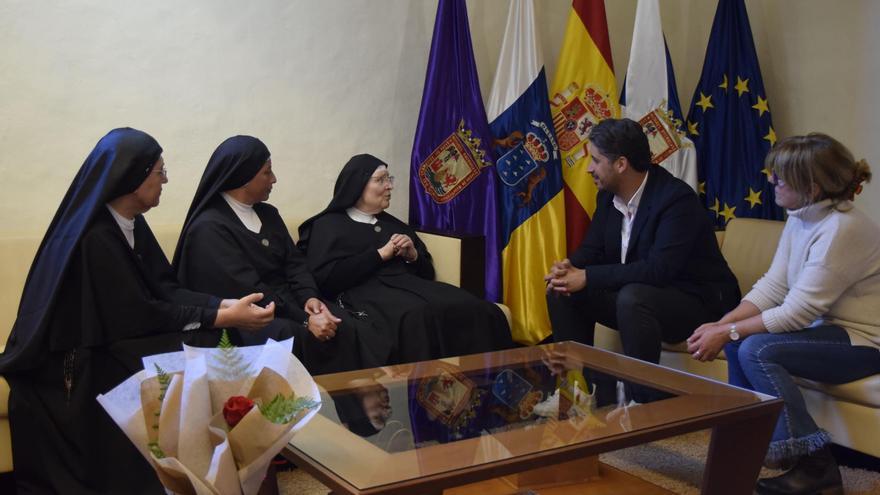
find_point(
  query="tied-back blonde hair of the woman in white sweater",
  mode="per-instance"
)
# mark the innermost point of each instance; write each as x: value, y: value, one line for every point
x: 819, y: 160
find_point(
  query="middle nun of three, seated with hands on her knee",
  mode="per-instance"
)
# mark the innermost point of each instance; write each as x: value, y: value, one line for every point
x: 234, y: 242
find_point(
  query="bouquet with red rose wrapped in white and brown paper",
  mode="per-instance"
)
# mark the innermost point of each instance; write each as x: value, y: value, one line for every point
x: 210, y: 421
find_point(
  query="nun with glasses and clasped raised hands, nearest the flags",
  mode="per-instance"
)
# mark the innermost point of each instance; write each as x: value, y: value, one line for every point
x: 371, y: 262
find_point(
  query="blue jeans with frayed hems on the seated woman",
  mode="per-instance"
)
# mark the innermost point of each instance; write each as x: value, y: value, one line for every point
x: 766, y: 362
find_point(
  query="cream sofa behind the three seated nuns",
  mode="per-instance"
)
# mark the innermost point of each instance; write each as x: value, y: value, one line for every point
x: 16, y: 254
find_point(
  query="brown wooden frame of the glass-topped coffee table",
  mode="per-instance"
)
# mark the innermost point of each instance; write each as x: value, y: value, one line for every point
x: 742, y: 423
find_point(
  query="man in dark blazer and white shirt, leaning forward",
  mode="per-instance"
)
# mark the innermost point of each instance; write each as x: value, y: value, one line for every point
x: 649, y: 265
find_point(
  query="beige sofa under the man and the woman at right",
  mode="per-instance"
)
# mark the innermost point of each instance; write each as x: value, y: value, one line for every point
x: 851, y: 412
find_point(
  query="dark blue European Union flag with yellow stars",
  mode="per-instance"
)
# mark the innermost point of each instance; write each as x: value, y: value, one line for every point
x: 729, y: 122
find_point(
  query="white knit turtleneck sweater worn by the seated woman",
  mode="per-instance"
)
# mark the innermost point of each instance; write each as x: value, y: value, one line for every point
x: 826, y: 270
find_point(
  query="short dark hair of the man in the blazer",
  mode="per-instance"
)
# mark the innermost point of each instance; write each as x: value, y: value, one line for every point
x: 622, y: 137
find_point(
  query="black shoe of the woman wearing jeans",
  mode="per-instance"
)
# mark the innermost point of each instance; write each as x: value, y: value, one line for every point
x: 816, y: 473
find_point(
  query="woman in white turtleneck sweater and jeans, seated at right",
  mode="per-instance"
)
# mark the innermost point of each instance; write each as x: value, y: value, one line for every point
x: 815, y: 313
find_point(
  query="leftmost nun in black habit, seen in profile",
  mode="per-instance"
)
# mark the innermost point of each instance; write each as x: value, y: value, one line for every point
x: 99, y: 296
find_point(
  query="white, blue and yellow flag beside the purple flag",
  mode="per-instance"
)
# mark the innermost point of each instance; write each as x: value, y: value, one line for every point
x: 531, y: 204
